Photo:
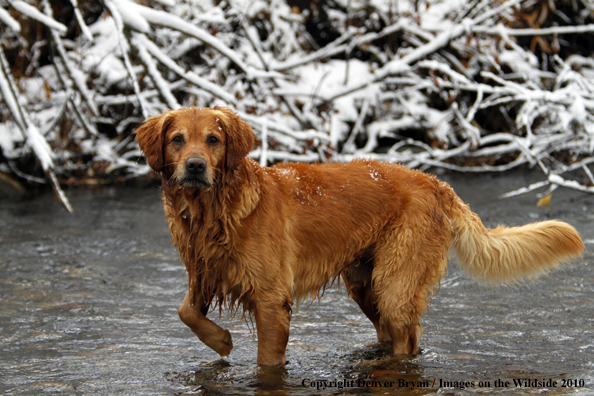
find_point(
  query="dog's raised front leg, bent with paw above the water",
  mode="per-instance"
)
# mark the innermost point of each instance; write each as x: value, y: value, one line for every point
x: 193, y: 313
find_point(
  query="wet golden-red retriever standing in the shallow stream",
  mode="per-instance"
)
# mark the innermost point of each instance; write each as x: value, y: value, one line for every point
x: 264, y: 238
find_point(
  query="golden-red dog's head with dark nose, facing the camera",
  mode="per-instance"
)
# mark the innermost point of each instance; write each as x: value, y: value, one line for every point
x: 195, y: 147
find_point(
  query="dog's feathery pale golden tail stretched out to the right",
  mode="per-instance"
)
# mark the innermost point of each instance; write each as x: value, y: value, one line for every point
x: 510, y: 254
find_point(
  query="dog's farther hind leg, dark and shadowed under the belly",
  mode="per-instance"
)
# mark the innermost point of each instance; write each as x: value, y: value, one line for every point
x: 357, y: 280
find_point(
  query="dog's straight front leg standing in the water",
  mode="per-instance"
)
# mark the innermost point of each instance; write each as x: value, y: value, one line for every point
x: 272, y: 323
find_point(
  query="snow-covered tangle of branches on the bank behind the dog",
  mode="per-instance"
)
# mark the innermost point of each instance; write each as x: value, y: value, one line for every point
x: 471, y: 86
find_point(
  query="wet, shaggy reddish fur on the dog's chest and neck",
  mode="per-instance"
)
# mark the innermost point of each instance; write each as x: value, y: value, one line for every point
x: 204, y: 228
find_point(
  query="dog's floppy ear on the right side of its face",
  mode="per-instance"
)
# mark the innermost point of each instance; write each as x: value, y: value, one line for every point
x: 240, y: 137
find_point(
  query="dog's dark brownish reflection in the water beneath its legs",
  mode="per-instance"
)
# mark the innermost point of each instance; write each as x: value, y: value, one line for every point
x: 369, y: 370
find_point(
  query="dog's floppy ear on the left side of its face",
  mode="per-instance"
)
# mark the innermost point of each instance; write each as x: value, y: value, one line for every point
x: 150, y: 137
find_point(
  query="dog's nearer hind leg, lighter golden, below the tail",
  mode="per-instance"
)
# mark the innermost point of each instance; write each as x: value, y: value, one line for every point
x: 409, y: 264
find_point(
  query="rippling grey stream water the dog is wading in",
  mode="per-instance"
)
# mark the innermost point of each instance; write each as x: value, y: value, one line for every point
x: 89, y: 307
